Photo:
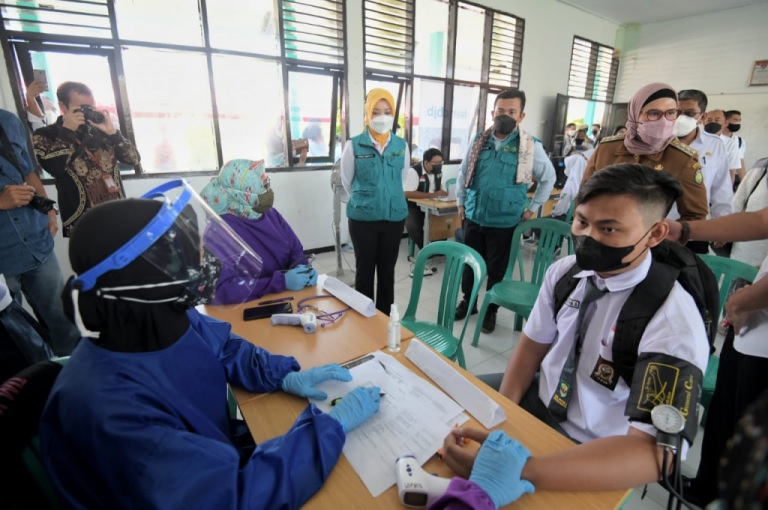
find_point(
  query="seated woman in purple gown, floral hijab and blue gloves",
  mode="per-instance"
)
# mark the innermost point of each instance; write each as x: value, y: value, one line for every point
x: 242, y: 195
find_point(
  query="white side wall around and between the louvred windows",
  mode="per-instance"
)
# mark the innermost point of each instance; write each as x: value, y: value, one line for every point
x: 305, y: 197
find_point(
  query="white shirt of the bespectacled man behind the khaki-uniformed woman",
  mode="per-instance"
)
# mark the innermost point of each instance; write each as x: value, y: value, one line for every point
x: 717, y: 176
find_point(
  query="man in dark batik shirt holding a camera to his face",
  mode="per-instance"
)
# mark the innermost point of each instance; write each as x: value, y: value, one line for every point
x: 81, y: 151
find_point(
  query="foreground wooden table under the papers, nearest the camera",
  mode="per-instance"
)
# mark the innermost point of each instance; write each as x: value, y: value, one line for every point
x: 273, y: 414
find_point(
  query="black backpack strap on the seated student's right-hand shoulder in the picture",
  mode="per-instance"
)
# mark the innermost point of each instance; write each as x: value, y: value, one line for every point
x: 640, y: 307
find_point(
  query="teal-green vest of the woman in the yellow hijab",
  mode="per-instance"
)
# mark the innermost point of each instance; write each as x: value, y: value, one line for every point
x: 377, y: 188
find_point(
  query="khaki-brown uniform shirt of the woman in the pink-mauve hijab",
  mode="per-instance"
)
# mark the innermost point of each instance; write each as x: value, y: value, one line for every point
x: 678, y: 159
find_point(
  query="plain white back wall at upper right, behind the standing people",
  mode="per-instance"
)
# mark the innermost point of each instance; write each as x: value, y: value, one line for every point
x: 710, y: 52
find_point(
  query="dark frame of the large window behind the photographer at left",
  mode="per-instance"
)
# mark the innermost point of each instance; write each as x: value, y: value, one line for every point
x: 16, y: 46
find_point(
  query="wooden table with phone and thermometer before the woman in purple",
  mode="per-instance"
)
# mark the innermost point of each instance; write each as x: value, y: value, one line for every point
x: 350, y: 337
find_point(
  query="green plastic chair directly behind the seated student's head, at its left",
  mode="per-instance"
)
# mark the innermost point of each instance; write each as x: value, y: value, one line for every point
x: 519, y: 294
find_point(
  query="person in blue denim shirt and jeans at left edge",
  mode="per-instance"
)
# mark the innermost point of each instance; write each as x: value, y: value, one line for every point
x: 27, y: 226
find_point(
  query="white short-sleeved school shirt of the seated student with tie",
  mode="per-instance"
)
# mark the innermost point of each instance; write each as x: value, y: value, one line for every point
x: 595, y: 411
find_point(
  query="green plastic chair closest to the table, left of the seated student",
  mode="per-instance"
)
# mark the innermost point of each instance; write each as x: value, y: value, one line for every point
x: 439, y: 334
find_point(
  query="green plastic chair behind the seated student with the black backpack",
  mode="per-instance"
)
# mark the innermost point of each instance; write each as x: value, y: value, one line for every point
x: 726, y: 270
